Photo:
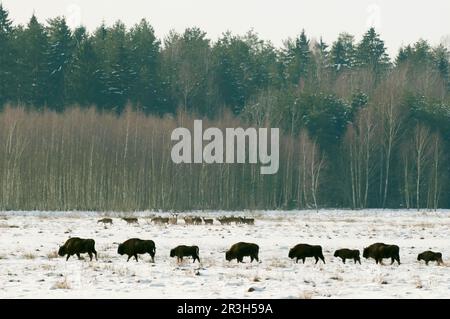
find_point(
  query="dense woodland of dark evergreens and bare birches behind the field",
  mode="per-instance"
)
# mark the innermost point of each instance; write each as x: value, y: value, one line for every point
x: 86, y: 119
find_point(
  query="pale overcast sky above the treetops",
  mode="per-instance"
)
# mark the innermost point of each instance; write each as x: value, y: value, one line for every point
x: 399, y: 22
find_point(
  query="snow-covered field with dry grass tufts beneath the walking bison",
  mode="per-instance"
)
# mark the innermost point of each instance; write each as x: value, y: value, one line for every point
x: 30, y: 267
